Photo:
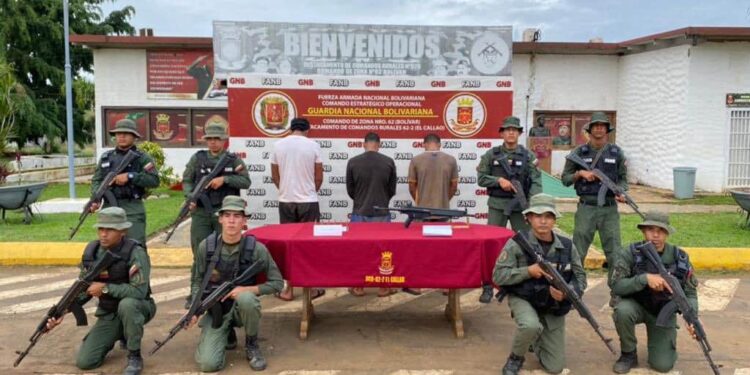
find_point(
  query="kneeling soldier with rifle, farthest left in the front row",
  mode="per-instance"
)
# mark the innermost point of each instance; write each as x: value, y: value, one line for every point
x: 125, y: 303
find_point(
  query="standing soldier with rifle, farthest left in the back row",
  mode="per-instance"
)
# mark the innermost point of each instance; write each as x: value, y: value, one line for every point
x: 129, y: 187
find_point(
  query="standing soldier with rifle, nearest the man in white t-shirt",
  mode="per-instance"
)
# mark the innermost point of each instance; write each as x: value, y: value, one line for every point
x: 229, y: 182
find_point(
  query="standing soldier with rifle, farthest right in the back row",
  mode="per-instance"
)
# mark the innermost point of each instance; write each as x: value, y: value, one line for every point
x: 590, y: 217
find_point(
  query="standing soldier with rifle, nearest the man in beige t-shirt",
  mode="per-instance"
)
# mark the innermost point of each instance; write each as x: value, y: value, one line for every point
x: 496, y: 169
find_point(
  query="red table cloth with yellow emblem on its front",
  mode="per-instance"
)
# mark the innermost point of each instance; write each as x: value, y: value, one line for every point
x: 385, y: 255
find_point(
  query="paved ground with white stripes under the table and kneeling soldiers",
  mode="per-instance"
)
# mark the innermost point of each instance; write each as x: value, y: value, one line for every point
x: 401, y: 334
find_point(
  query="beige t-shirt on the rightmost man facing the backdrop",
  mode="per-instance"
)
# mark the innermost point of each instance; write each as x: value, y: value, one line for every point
x: 433, y: 171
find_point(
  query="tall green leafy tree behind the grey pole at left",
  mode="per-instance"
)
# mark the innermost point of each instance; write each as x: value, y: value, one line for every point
x: 32, y: 40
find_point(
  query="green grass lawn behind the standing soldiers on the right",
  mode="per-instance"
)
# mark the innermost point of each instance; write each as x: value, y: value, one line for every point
x: 693, y: 230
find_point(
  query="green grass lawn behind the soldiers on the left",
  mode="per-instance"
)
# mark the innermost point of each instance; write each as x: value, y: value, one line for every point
x: 56, y: 227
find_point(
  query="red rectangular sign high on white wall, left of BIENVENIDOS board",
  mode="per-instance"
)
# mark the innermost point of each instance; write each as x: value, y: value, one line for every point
x: 183, y: 74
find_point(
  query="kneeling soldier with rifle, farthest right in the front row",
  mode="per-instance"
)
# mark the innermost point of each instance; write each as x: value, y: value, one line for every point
x: 644, y: 292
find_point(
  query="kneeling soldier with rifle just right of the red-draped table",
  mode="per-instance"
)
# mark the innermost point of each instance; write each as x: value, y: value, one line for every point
x: 538, y: 308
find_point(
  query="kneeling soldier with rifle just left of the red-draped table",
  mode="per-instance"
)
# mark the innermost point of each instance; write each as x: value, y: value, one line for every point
x: 228, y: 254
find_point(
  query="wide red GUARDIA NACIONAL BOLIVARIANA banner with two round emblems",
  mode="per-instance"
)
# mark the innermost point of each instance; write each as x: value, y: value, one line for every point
x: 258, y: 112
